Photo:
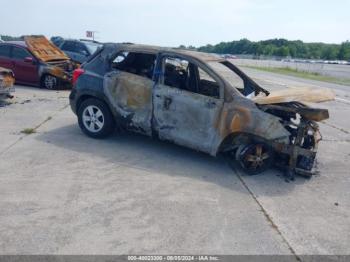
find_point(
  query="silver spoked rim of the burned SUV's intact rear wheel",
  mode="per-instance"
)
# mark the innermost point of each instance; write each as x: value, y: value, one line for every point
x: 93, y: 119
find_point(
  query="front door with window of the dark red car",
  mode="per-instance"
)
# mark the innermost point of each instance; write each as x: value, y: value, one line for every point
x: 25, y: 66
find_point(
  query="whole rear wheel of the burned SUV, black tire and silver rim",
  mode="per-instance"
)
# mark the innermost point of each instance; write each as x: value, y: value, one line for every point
x: 95, y: 119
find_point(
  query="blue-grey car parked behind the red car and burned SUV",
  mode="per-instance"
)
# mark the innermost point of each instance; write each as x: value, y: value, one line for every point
x: 78, y: 50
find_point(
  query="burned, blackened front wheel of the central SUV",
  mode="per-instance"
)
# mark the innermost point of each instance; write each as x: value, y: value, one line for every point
x: 255, y: 158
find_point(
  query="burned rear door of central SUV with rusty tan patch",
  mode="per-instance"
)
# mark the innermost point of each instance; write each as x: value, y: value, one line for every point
x: 130, y: 92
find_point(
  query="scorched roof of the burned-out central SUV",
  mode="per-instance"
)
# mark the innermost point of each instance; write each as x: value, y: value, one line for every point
x: 207, y: 57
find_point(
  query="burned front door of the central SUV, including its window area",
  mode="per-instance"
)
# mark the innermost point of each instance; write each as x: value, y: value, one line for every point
x: 183, y: 116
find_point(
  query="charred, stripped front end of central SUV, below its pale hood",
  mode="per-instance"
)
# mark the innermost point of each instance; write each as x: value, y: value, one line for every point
x: 298, y: 156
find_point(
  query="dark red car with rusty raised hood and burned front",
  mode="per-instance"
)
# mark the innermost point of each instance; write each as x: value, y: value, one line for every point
x: 36, y: 61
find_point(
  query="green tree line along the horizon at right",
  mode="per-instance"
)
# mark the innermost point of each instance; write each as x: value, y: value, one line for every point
x: 282, y: 48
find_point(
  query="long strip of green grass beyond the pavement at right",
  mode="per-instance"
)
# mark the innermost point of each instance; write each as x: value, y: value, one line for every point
x: 303, y: 74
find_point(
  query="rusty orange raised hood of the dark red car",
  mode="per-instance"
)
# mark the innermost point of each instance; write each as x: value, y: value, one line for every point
x: 43, y: 49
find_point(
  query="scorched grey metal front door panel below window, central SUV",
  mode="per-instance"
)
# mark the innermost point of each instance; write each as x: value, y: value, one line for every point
x: 188, y: 119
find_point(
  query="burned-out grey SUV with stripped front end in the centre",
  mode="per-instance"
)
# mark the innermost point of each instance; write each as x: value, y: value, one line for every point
x: 200, y: 101
